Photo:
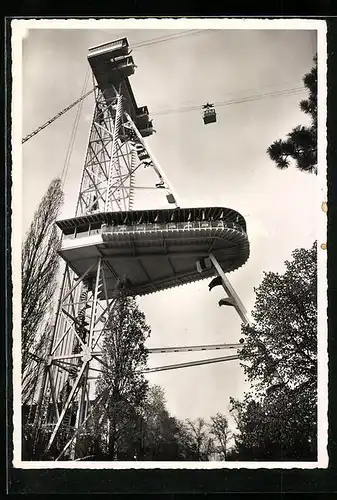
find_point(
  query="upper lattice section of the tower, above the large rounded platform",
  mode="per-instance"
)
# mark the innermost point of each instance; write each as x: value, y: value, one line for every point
x: 116, y: 150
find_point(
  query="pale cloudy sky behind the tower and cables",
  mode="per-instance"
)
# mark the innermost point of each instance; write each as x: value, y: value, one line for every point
x: 223, y: 164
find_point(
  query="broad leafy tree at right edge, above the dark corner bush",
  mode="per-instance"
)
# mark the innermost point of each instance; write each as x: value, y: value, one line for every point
x: 281, y: 344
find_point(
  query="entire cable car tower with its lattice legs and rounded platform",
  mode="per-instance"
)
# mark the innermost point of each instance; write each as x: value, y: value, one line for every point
x: 109, y: 248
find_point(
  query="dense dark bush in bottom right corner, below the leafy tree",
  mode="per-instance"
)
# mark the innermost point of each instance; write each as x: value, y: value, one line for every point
x: 275, y: 428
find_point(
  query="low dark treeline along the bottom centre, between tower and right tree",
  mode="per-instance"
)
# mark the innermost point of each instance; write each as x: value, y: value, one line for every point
x: 152, y: 433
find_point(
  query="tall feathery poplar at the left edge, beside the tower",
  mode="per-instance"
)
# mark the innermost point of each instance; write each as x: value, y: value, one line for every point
x: 40, y: 265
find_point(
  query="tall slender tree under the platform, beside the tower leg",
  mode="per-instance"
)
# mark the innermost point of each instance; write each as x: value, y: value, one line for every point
x: 124, y: 359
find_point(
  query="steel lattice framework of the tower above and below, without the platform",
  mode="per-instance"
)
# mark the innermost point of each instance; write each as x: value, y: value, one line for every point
x: 115, y: 151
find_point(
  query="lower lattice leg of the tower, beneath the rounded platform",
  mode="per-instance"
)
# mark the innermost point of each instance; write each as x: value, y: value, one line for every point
x: 76, y: 353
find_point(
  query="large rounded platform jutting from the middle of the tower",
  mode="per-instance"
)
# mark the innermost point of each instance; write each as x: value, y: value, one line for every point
x: 152, y: 250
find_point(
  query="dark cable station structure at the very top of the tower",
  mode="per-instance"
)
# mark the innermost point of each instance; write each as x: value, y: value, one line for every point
x: 112, y: 64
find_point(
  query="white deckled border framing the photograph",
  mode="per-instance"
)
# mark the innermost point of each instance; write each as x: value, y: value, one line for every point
x: 19, y: 27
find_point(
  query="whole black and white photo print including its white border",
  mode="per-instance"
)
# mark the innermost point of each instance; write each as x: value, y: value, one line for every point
x: 169, y: 243
